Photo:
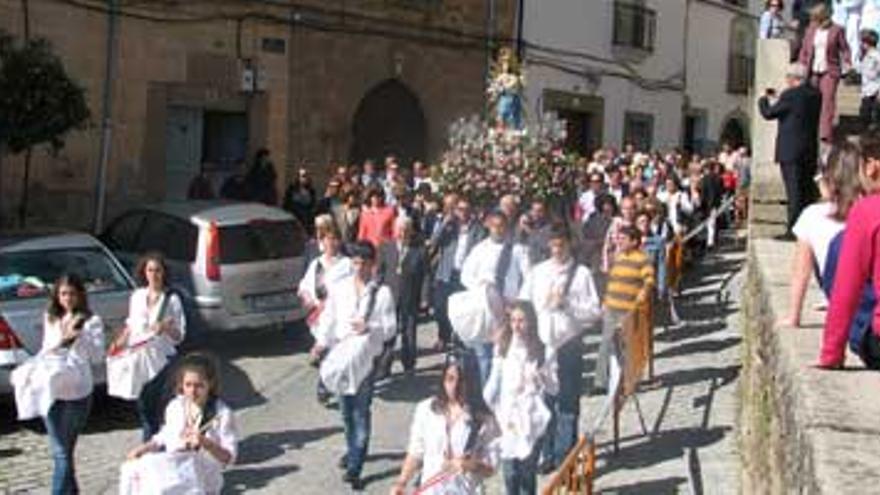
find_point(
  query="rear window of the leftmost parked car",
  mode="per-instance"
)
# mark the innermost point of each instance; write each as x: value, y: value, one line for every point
x: 30, y: 274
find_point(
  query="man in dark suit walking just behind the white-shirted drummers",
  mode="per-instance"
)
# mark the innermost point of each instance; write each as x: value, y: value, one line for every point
x: 403, y: 264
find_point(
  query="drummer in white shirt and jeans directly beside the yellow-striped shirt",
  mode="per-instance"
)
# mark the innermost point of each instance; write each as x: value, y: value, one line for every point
x: 566, y: 303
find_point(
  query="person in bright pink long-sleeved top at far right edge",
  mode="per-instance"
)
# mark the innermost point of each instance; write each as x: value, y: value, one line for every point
x: 859, y: 262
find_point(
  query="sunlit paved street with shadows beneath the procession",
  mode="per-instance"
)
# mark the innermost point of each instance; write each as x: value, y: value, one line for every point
x: 290, y: 444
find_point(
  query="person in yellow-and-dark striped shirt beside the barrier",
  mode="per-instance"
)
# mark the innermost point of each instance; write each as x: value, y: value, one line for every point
x: 630, y: 282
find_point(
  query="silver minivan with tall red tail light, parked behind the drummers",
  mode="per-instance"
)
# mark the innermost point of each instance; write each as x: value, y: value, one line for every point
x: 236, y: 265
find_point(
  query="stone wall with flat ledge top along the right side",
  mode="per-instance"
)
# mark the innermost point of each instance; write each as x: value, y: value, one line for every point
x: 802, y: 430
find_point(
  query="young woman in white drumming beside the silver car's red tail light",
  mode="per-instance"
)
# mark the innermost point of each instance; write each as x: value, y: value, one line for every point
x: 155, y: 326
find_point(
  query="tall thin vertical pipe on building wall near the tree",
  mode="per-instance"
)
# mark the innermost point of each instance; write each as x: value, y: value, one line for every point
x: 106, y: 115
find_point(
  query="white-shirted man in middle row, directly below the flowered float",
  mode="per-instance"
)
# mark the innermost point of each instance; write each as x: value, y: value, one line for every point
x: 496, y: 265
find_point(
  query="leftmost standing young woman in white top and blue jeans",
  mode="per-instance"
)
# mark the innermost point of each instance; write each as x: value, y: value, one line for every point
x: 57, y: 384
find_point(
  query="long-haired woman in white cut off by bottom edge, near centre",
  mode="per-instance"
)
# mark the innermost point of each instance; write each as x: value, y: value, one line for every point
x: 453, y: 438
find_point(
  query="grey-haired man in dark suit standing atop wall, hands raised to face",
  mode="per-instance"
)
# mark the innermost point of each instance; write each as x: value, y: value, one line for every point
x: 797, y: 139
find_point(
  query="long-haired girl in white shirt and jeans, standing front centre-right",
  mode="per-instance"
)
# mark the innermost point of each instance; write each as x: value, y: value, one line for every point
x: 521, y: 377
